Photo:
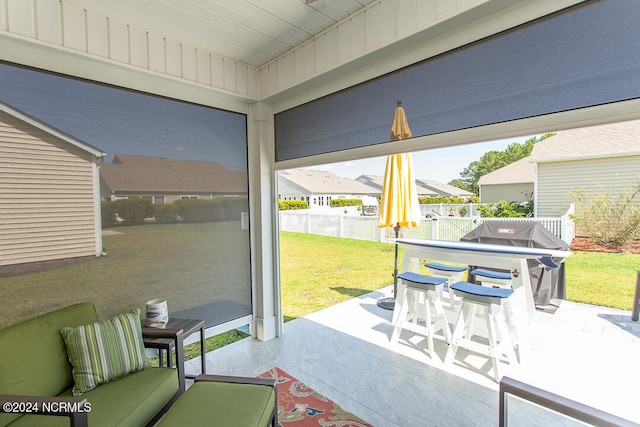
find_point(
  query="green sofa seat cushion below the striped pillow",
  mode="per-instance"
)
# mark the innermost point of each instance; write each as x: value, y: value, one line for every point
x: 132, y: 400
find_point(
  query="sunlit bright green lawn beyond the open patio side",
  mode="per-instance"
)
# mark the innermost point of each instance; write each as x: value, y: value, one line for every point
x: 319, y: 271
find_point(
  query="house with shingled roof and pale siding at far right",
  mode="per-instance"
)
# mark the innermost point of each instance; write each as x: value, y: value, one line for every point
x: 594, y: 159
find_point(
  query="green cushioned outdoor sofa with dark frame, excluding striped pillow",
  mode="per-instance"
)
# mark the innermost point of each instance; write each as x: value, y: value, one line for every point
x: 34, y: 362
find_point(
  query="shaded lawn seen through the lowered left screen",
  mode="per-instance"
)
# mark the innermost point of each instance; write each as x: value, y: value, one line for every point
x: 189, y: 264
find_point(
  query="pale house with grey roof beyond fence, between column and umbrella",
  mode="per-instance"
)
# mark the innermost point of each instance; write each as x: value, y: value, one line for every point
x: 318, y: 188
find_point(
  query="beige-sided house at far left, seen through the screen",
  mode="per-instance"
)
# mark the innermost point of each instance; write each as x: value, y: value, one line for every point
x: 49, y: 193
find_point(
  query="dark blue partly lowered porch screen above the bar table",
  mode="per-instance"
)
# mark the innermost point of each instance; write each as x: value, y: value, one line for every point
x: 584, y: 56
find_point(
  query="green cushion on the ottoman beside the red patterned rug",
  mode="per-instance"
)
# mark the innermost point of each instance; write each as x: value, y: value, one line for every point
x: 222, y: 404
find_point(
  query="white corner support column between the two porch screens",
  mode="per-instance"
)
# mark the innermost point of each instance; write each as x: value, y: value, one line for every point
x: 264, y: 228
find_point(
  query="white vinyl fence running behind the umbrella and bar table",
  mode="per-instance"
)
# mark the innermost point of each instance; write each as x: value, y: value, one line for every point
x: 440, y: 228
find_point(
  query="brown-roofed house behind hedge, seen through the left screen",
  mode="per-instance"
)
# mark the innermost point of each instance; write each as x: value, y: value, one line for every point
x: 167, y: 180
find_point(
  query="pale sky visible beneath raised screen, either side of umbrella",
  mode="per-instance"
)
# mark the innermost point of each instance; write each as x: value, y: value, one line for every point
x: 442, y: 164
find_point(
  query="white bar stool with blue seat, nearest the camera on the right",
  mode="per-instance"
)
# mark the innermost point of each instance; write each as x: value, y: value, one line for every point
x: 491, y: 300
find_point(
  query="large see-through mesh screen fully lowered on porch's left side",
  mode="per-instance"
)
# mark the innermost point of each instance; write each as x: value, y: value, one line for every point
x: 173, y: 190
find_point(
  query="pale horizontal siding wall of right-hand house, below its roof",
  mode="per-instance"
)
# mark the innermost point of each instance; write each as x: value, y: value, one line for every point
x: 557, y: 180
